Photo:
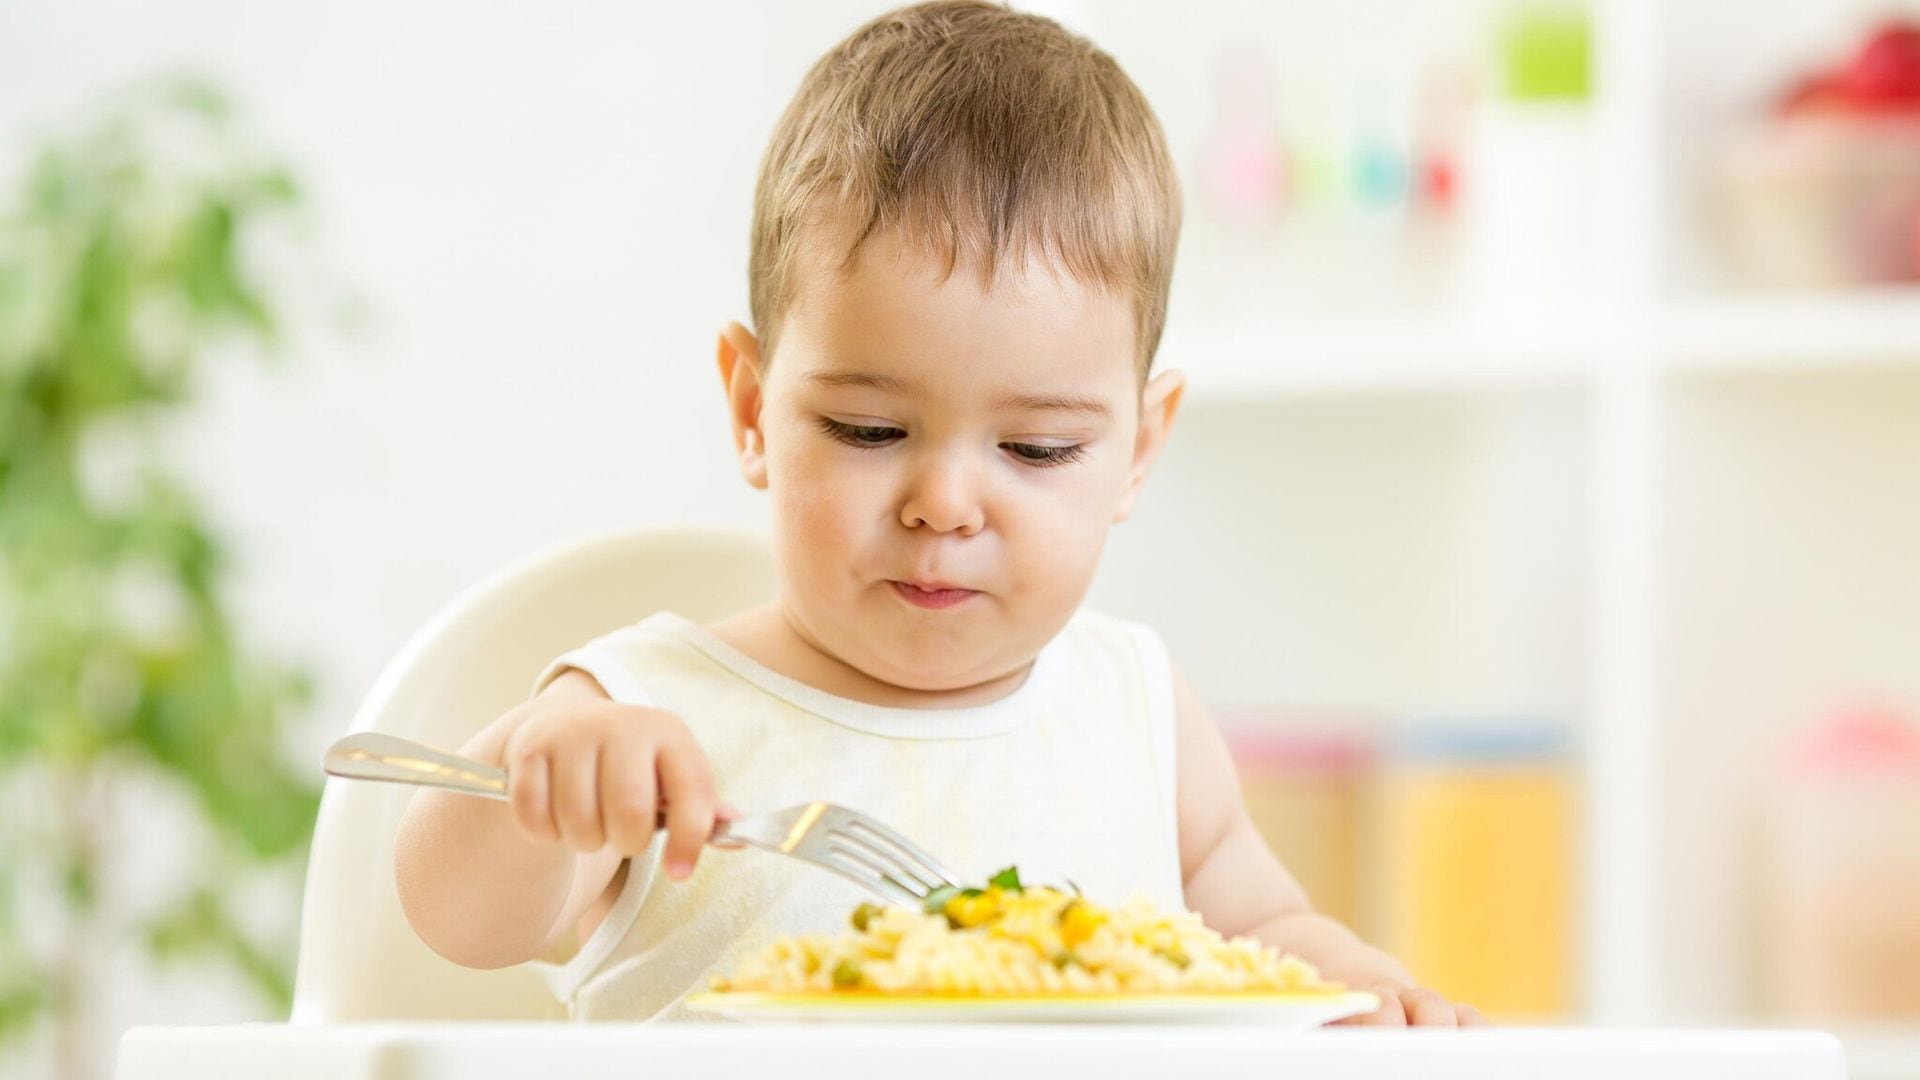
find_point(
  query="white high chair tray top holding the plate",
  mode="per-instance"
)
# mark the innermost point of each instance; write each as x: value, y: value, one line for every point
x: 627, y: 1052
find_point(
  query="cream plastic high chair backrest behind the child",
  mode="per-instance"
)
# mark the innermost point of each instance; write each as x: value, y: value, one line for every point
x: 471, y: 664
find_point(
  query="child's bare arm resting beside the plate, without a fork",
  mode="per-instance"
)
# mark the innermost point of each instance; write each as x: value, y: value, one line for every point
x: 1239, y: 887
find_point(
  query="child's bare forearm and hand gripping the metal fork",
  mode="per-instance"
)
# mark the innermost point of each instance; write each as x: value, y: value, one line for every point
x: 492, y: 885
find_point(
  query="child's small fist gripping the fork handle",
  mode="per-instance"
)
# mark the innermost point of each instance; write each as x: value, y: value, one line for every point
x: 594, y: 773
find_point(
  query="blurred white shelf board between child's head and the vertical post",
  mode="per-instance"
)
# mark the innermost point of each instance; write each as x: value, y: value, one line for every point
x: 1255, y: 360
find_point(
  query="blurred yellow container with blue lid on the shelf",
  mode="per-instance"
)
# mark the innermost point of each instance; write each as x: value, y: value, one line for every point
x: 1474, y: 870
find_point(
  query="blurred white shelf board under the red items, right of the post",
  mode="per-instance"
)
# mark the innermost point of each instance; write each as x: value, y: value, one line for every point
x: 1875, y: 328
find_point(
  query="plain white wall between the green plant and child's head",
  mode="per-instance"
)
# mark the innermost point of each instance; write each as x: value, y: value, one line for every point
x: 544, y: 209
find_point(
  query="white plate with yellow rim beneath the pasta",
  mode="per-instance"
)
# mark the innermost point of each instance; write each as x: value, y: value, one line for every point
x: 1289, y: 1012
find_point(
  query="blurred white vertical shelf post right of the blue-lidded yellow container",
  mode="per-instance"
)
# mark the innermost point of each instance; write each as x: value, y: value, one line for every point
x: 1620, y: 889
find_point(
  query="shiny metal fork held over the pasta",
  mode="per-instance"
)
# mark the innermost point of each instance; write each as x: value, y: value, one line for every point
x: 848, y: 843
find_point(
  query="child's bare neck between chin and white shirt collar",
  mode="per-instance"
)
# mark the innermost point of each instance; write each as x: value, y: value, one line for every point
x: 771, y: 639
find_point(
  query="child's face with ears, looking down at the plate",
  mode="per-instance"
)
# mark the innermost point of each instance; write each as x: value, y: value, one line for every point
x: 923, y: 431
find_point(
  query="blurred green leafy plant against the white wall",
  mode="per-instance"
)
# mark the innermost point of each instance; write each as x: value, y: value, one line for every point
x: 128, y: 262
